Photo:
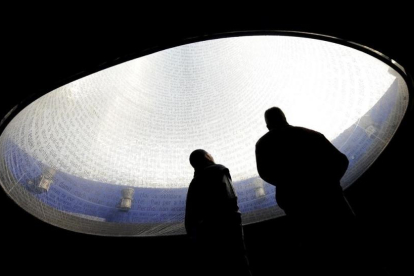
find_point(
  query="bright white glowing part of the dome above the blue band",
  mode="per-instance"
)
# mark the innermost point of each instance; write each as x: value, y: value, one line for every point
x: 136, y: 123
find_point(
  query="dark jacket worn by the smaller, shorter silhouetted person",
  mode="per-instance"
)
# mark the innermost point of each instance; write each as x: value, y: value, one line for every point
x: 211, y: 207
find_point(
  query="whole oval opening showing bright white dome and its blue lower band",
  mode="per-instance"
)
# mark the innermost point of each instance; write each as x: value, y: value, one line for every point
x: 108, y: 154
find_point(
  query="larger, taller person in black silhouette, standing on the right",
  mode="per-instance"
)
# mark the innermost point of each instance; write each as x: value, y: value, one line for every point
x: 306, y: 170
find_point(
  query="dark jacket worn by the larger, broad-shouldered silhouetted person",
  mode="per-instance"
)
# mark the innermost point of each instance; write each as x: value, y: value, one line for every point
x: 303, y: 165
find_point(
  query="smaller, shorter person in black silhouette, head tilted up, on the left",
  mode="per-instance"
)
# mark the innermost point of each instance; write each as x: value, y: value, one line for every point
x: 213, y: 220
